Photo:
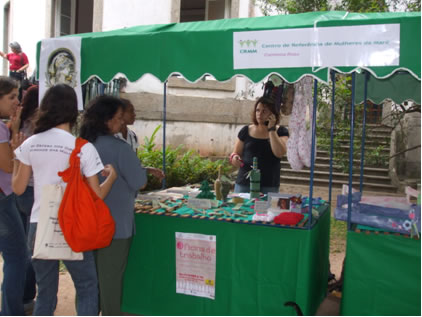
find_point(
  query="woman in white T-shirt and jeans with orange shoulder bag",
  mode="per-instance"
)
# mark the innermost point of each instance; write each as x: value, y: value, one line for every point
x: 45, y: 154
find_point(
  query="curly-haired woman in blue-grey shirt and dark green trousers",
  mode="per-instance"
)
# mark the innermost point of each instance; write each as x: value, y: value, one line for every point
x: 102, y: 119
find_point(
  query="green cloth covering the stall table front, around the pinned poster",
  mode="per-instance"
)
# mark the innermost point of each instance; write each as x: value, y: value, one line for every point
x: 258, y: 268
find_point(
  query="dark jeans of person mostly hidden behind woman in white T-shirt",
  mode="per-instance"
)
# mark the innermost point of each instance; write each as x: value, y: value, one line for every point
x: 24, y: 204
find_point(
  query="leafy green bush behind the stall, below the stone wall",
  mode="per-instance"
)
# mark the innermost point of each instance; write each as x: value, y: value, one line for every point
x: 182, y: 166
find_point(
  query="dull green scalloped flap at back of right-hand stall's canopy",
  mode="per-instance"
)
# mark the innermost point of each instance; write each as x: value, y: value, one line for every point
x: 399, y: 87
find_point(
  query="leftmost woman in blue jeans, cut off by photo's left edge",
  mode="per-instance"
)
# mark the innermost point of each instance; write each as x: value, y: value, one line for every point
x: 13, y: 245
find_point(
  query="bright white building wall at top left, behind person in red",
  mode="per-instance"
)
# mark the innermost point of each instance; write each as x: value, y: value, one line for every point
x: 27, y: 26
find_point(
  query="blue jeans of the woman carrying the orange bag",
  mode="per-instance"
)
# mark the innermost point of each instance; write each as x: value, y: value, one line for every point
x: 84, y: 276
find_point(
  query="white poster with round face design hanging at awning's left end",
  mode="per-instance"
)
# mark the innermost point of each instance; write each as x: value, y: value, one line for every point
x: 60, y: 63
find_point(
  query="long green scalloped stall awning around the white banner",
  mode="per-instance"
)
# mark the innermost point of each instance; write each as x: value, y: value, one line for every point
x: 197, y: 48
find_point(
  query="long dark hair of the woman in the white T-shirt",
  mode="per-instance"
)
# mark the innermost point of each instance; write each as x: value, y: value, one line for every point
x: 59, y: 105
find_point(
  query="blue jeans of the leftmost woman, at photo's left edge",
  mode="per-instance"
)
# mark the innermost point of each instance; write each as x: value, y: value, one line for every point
x: 15, y: 255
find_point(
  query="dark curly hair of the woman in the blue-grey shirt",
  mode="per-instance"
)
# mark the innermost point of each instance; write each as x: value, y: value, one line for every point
x: 99, y: 111
